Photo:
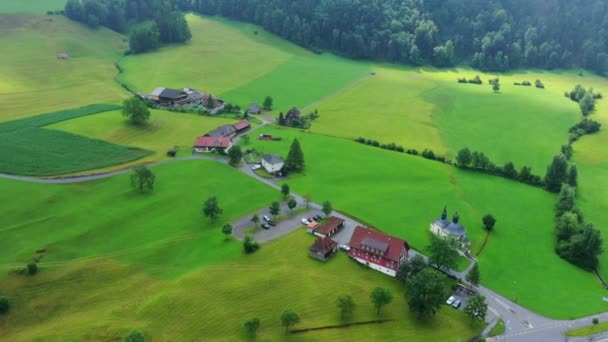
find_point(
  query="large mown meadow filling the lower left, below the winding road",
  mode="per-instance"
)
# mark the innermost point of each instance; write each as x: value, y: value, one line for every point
x: 152, y: 262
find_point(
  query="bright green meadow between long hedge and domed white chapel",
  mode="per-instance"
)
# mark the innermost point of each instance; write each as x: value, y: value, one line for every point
x: 402, y: 194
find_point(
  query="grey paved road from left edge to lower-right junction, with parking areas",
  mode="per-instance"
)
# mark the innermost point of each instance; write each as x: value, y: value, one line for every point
x: 521, y: 323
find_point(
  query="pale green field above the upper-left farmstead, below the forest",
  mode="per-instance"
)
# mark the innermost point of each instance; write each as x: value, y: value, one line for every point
x: 230, y: 60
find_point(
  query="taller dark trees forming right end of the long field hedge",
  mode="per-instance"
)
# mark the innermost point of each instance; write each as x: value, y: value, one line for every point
x: 480, y: 162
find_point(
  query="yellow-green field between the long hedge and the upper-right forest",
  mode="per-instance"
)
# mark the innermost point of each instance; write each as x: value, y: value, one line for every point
x: 429, y: 109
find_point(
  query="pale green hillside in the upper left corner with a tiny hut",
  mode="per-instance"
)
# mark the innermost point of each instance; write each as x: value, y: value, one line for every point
x: 33, y: 80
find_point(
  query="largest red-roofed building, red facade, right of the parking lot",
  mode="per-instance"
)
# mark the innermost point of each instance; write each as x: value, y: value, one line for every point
x: 377, y: 250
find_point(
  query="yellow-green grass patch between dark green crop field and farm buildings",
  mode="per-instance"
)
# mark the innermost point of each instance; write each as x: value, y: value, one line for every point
x: 164, y: 130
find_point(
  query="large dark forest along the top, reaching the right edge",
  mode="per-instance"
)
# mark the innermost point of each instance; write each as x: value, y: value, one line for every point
x: 493, y: 35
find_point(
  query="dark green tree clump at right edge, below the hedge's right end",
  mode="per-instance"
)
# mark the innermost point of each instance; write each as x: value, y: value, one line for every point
x: 576, y: 241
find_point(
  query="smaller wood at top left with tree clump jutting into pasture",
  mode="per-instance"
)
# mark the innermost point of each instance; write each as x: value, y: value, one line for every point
x: 150, y: 22
